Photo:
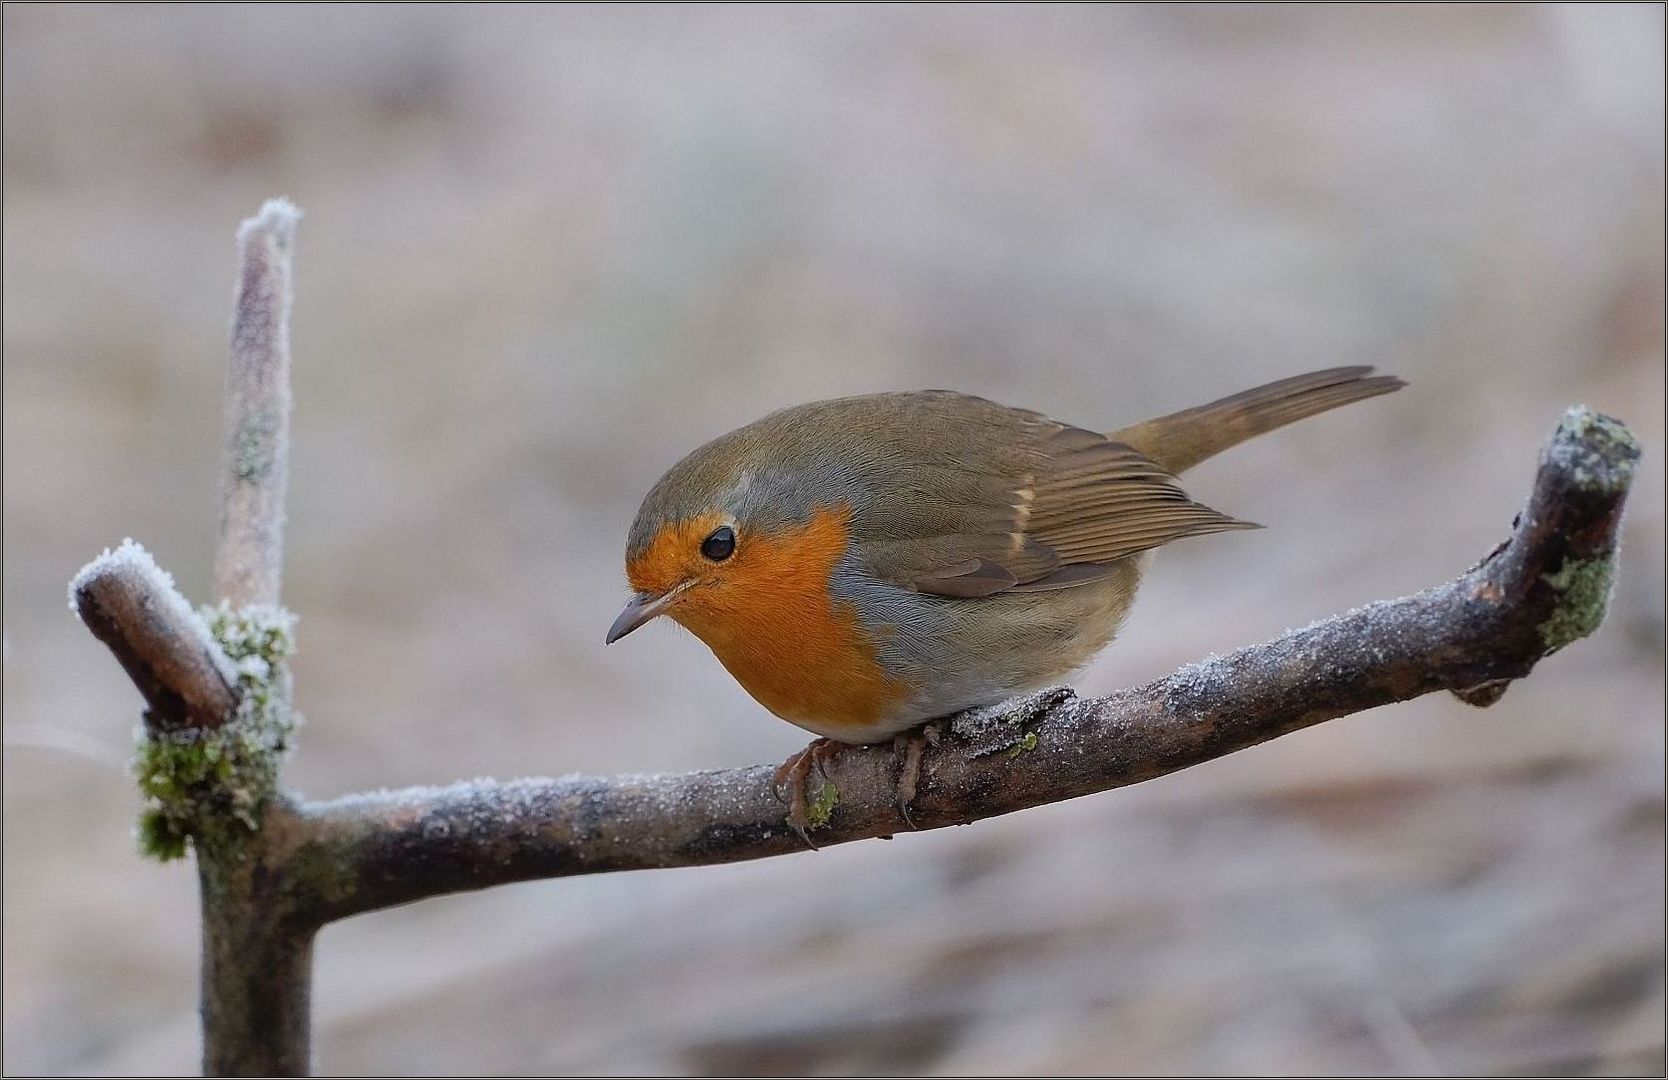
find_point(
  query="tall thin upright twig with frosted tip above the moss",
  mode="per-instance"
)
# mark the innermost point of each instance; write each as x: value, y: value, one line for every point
x: 249, y: 562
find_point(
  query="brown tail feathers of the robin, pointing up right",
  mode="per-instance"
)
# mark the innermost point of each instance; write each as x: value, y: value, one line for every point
x: 1183, y: 440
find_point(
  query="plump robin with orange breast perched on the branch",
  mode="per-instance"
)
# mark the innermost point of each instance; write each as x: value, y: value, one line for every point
x: 868, y: 565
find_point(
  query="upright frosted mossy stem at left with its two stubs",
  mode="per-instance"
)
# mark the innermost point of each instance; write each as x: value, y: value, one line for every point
x: 219, y: 692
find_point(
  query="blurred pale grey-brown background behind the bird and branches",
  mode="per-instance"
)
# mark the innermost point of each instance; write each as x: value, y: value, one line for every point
x: 546, y: 253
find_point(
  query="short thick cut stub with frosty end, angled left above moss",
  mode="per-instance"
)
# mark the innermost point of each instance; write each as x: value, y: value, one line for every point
x: 131, y: 605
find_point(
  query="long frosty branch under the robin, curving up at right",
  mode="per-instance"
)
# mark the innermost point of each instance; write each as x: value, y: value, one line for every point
x: 1540, y: 590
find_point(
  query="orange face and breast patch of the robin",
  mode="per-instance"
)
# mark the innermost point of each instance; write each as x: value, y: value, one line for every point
x: 771, y: 620
